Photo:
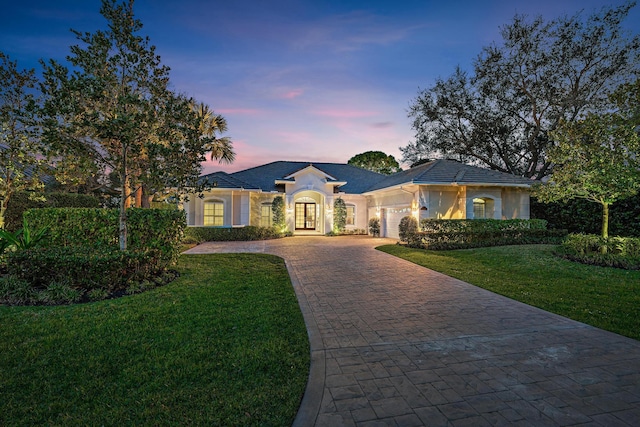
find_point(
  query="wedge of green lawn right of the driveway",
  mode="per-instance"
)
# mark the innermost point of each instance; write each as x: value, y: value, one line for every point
x: 607, y: 298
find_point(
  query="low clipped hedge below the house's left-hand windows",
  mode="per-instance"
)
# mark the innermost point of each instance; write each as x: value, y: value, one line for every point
x: 228, y: 234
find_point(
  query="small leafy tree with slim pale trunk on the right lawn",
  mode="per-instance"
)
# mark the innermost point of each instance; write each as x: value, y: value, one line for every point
x: 597, y: 157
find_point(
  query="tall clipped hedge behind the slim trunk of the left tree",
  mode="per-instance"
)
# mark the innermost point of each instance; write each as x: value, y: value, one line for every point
x: 158, y: 232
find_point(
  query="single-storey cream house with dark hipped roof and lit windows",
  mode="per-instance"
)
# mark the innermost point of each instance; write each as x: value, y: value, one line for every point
x: 443, y: 189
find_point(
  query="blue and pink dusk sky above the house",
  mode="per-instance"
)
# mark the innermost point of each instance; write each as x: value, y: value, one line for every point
x: 296, y: 80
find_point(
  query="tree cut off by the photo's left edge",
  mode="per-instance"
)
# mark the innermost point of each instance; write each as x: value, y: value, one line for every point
x: 20, y: 144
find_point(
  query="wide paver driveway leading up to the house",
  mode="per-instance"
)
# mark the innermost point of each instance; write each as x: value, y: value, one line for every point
x: 397, y: 344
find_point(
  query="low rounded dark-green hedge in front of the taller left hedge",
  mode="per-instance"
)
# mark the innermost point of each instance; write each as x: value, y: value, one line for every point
x: 83, y: 268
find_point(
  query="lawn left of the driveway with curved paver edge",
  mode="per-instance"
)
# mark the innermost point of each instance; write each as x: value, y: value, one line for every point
x: 225, y: 344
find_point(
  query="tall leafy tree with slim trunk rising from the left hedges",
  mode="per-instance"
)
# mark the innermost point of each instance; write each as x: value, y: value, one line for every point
x: 114, y: 109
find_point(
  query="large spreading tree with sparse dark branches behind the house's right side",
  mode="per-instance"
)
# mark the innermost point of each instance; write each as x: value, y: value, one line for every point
x: 500, y: 116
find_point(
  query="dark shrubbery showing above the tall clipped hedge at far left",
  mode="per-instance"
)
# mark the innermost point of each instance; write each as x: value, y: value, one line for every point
x: 22, y: 201
